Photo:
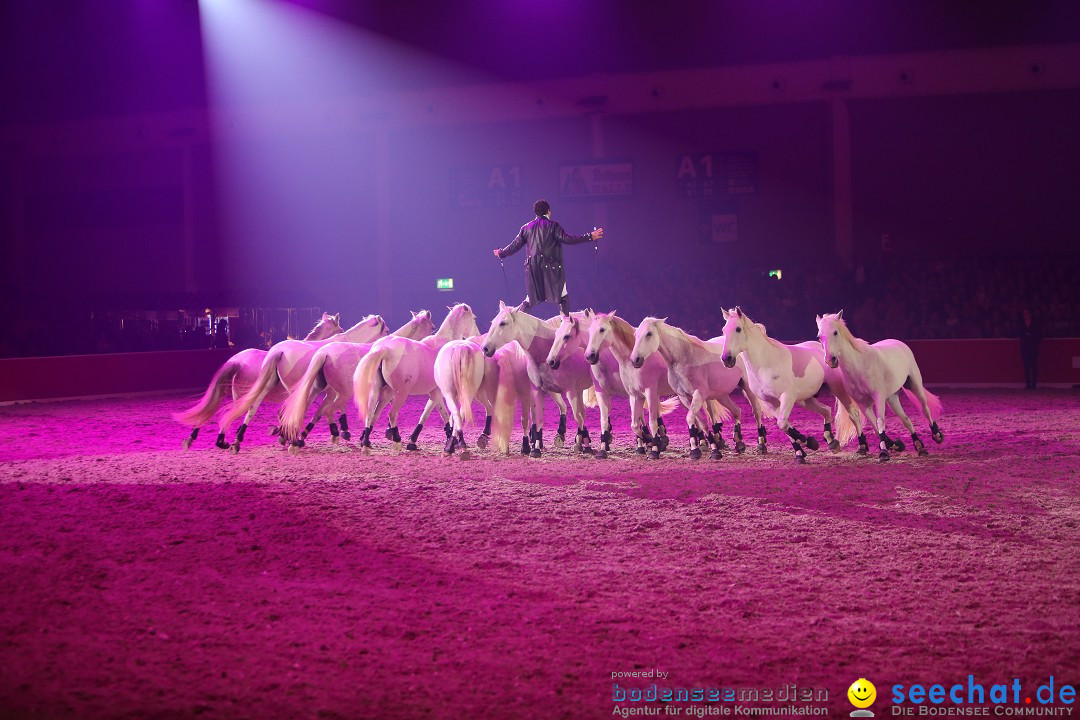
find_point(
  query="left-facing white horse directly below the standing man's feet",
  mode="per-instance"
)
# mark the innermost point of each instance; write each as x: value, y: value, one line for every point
x: 572, y: 378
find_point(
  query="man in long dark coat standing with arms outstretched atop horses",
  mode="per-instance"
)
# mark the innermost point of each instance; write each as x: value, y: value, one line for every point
x: 544, y: 240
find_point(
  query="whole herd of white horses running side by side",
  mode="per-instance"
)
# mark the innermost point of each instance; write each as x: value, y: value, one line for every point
x: 578, y: 360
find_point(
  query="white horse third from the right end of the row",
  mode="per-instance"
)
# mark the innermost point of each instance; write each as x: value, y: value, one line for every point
x: 698, y: 374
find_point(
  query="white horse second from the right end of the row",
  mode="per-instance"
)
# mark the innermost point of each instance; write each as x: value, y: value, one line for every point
x: 785, y: 376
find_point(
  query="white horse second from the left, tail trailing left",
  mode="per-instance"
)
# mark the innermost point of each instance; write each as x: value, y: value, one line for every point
x: 286, y: 365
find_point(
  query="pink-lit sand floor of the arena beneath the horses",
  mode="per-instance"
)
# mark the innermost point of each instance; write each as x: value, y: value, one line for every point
x: 139, y: 580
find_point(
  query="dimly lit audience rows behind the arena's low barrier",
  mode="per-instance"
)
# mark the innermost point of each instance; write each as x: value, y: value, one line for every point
x: 981, y: 298
